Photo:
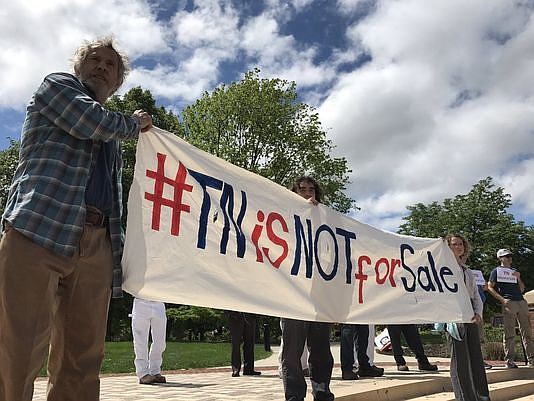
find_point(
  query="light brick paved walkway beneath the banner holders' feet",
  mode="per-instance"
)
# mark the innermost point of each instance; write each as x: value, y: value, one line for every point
x: 217, y: 384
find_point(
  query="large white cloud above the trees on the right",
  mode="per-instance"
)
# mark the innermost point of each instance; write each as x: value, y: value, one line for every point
x: 446, y: 100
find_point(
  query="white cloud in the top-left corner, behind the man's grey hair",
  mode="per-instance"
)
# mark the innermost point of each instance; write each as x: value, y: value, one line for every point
x: 40, y: 37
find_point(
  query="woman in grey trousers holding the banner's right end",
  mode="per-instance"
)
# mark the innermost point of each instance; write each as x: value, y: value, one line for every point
x: 468, y: 374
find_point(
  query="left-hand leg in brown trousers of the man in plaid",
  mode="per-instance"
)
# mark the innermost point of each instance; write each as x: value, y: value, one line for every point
x: 29, y: 276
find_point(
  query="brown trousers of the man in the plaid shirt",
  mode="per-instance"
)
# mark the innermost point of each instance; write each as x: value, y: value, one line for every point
x: 58, y: 304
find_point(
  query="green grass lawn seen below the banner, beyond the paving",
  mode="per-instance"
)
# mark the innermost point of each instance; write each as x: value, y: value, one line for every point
x: 119, y: 356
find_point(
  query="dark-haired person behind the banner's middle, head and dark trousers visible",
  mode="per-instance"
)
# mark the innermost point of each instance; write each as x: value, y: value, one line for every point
x: 295, y: 333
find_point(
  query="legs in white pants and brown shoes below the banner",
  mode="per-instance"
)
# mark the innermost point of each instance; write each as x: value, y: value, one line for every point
x: 149, y: 316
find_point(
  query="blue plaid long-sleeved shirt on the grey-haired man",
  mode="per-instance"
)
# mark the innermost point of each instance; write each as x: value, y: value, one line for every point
x: 61, y: 138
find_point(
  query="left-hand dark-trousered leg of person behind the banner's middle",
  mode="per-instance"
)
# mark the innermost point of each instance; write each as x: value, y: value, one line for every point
x: 294, y: 333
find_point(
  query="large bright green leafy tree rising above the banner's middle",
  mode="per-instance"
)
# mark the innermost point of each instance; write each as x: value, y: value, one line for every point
x: 259, y: 125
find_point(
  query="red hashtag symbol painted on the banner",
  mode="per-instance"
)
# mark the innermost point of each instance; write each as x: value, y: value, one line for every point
x: 179, y: 185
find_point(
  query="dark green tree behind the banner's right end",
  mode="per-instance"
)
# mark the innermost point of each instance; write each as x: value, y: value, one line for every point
x: 481, y: 215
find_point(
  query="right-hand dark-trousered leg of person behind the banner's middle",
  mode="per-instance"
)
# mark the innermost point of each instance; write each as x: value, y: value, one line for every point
x: 321, y: 361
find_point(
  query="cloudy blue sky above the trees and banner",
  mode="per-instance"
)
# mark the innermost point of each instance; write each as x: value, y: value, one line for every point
x: 423, y: 98
